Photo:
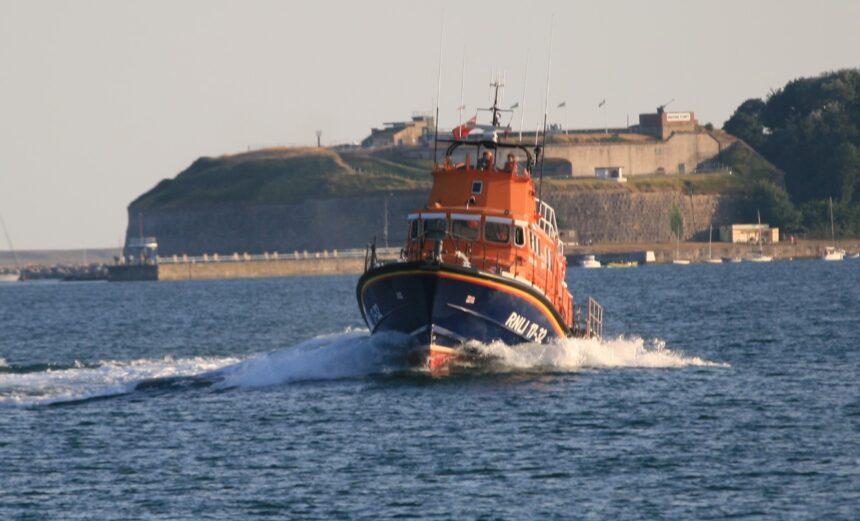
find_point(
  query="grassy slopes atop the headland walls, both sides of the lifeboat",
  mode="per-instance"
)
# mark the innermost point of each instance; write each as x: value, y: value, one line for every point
x: 291, y: 175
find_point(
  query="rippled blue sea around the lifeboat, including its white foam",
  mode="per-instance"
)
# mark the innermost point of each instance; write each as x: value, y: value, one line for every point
x: 721, y: 392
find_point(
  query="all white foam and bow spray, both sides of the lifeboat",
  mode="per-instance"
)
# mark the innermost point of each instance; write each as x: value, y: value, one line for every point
x: 351, y: 354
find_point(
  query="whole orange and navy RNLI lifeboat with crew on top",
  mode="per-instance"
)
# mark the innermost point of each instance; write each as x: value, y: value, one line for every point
x: 483, y: 260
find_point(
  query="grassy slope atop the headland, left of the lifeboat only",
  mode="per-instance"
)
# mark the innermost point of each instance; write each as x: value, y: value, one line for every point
x: 285, y: 176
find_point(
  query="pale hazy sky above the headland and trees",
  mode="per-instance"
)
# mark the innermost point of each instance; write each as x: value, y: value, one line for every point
x: 99, y: 100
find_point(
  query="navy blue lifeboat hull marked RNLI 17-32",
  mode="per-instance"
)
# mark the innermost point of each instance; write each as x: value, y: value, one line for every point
x: 443, y: 305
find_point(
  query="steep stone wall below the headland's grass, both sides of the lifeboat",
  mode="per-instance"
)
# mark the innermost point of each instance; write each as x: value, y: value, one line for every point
x: 352, y: 222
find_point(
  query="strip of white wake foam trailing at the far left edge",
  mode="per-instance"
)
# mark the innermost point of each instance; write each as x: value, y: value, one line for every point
x: 107, y: 378
